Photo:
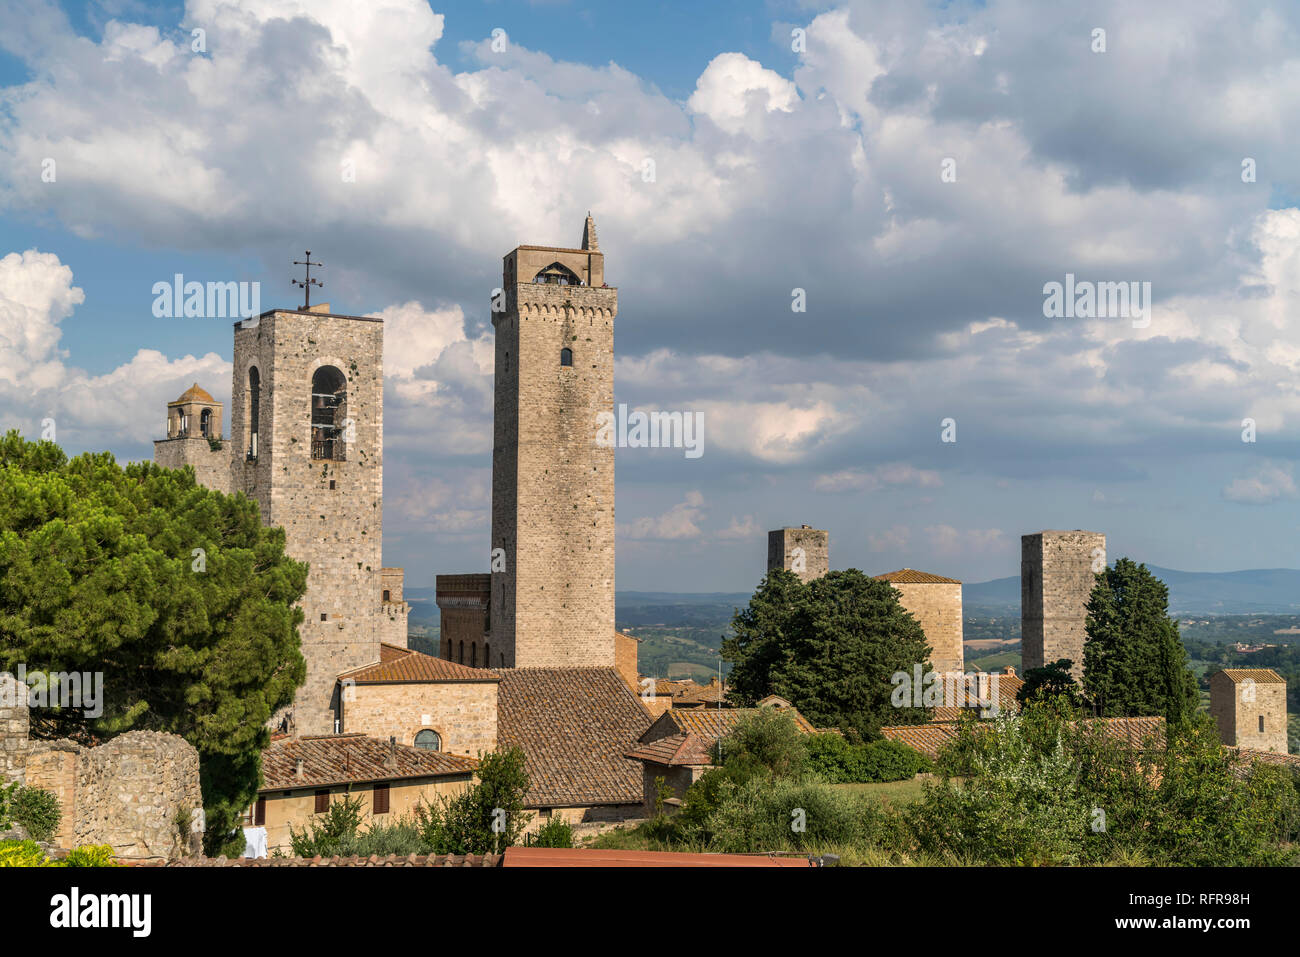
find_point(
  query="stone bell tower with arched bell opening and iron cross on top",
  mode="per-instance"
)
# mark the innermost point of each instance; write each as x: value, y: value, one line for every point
x: 307, y: 432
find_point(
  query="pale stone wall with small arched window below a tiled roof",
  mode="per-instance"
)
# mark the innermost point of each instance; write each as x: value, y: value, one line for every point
x: 462, y: 713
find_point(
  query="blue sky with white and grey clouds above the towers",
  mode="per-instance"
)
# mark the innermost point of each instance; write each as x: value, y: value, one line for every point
x: 775, y: 170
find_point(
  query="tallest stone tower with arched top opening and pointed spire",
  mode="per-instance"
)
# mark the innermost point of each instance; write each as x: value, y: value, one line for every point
x: 552, y: 601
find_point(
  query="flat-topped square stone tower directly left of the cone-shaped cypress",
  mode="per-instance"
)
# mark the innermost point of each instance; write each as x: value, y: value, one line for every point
x: 1058, y: 573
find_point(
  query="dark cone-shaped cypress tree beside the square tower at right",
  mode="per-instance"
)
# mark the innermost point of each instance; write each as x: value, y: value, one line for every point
x: 1134, y: 662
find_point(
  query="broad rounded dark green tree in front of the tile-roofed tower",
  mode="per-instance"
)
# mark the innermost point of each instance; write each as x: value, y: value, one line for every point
x: 830, y: 647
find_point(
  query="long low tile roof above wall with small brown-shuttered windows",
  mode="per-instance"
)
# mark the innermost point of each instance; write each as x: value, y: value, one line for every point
x: 352, y: 760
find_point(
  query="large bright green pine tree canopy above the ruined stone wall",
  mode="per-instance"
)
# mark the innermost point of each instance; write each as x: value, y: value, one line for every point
x: 176, y: 594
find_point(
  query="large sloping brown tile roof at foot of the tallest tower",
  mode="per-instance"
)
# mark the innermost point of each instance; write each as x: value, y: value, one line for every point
x: 575, y: 728
